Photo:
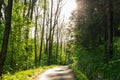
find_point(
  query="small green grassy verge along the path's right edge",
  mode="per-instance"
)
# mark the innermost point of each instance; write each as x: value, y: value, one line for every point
x: 78, y: 74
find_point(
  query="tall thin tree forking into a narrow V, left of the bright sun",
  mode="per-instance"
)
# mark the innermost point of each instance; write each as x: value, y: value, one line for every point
x: 53, y: 23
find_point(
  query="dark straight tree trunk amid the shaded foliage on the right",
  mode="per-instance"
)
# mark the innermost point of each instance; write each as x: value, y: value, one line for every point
x: 110, y: 30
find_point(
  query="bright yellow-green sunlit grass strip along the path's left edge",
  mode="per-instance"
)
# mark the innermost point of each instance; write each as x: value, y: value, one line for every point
x: 25, y: 75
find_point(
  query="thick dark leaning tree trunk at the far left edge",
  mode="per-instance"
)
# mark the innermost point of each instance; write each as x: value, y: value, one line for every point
x: 6, y: 35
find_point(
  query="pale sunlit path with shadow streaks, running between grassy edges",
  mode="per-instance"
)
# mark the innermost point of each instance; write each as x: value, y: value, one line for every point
x: 56, y: 73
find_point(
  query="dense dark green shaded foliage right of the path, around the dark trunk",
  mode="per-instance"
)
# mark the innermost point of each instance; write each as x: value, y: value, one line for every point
x: 90, y: 41
